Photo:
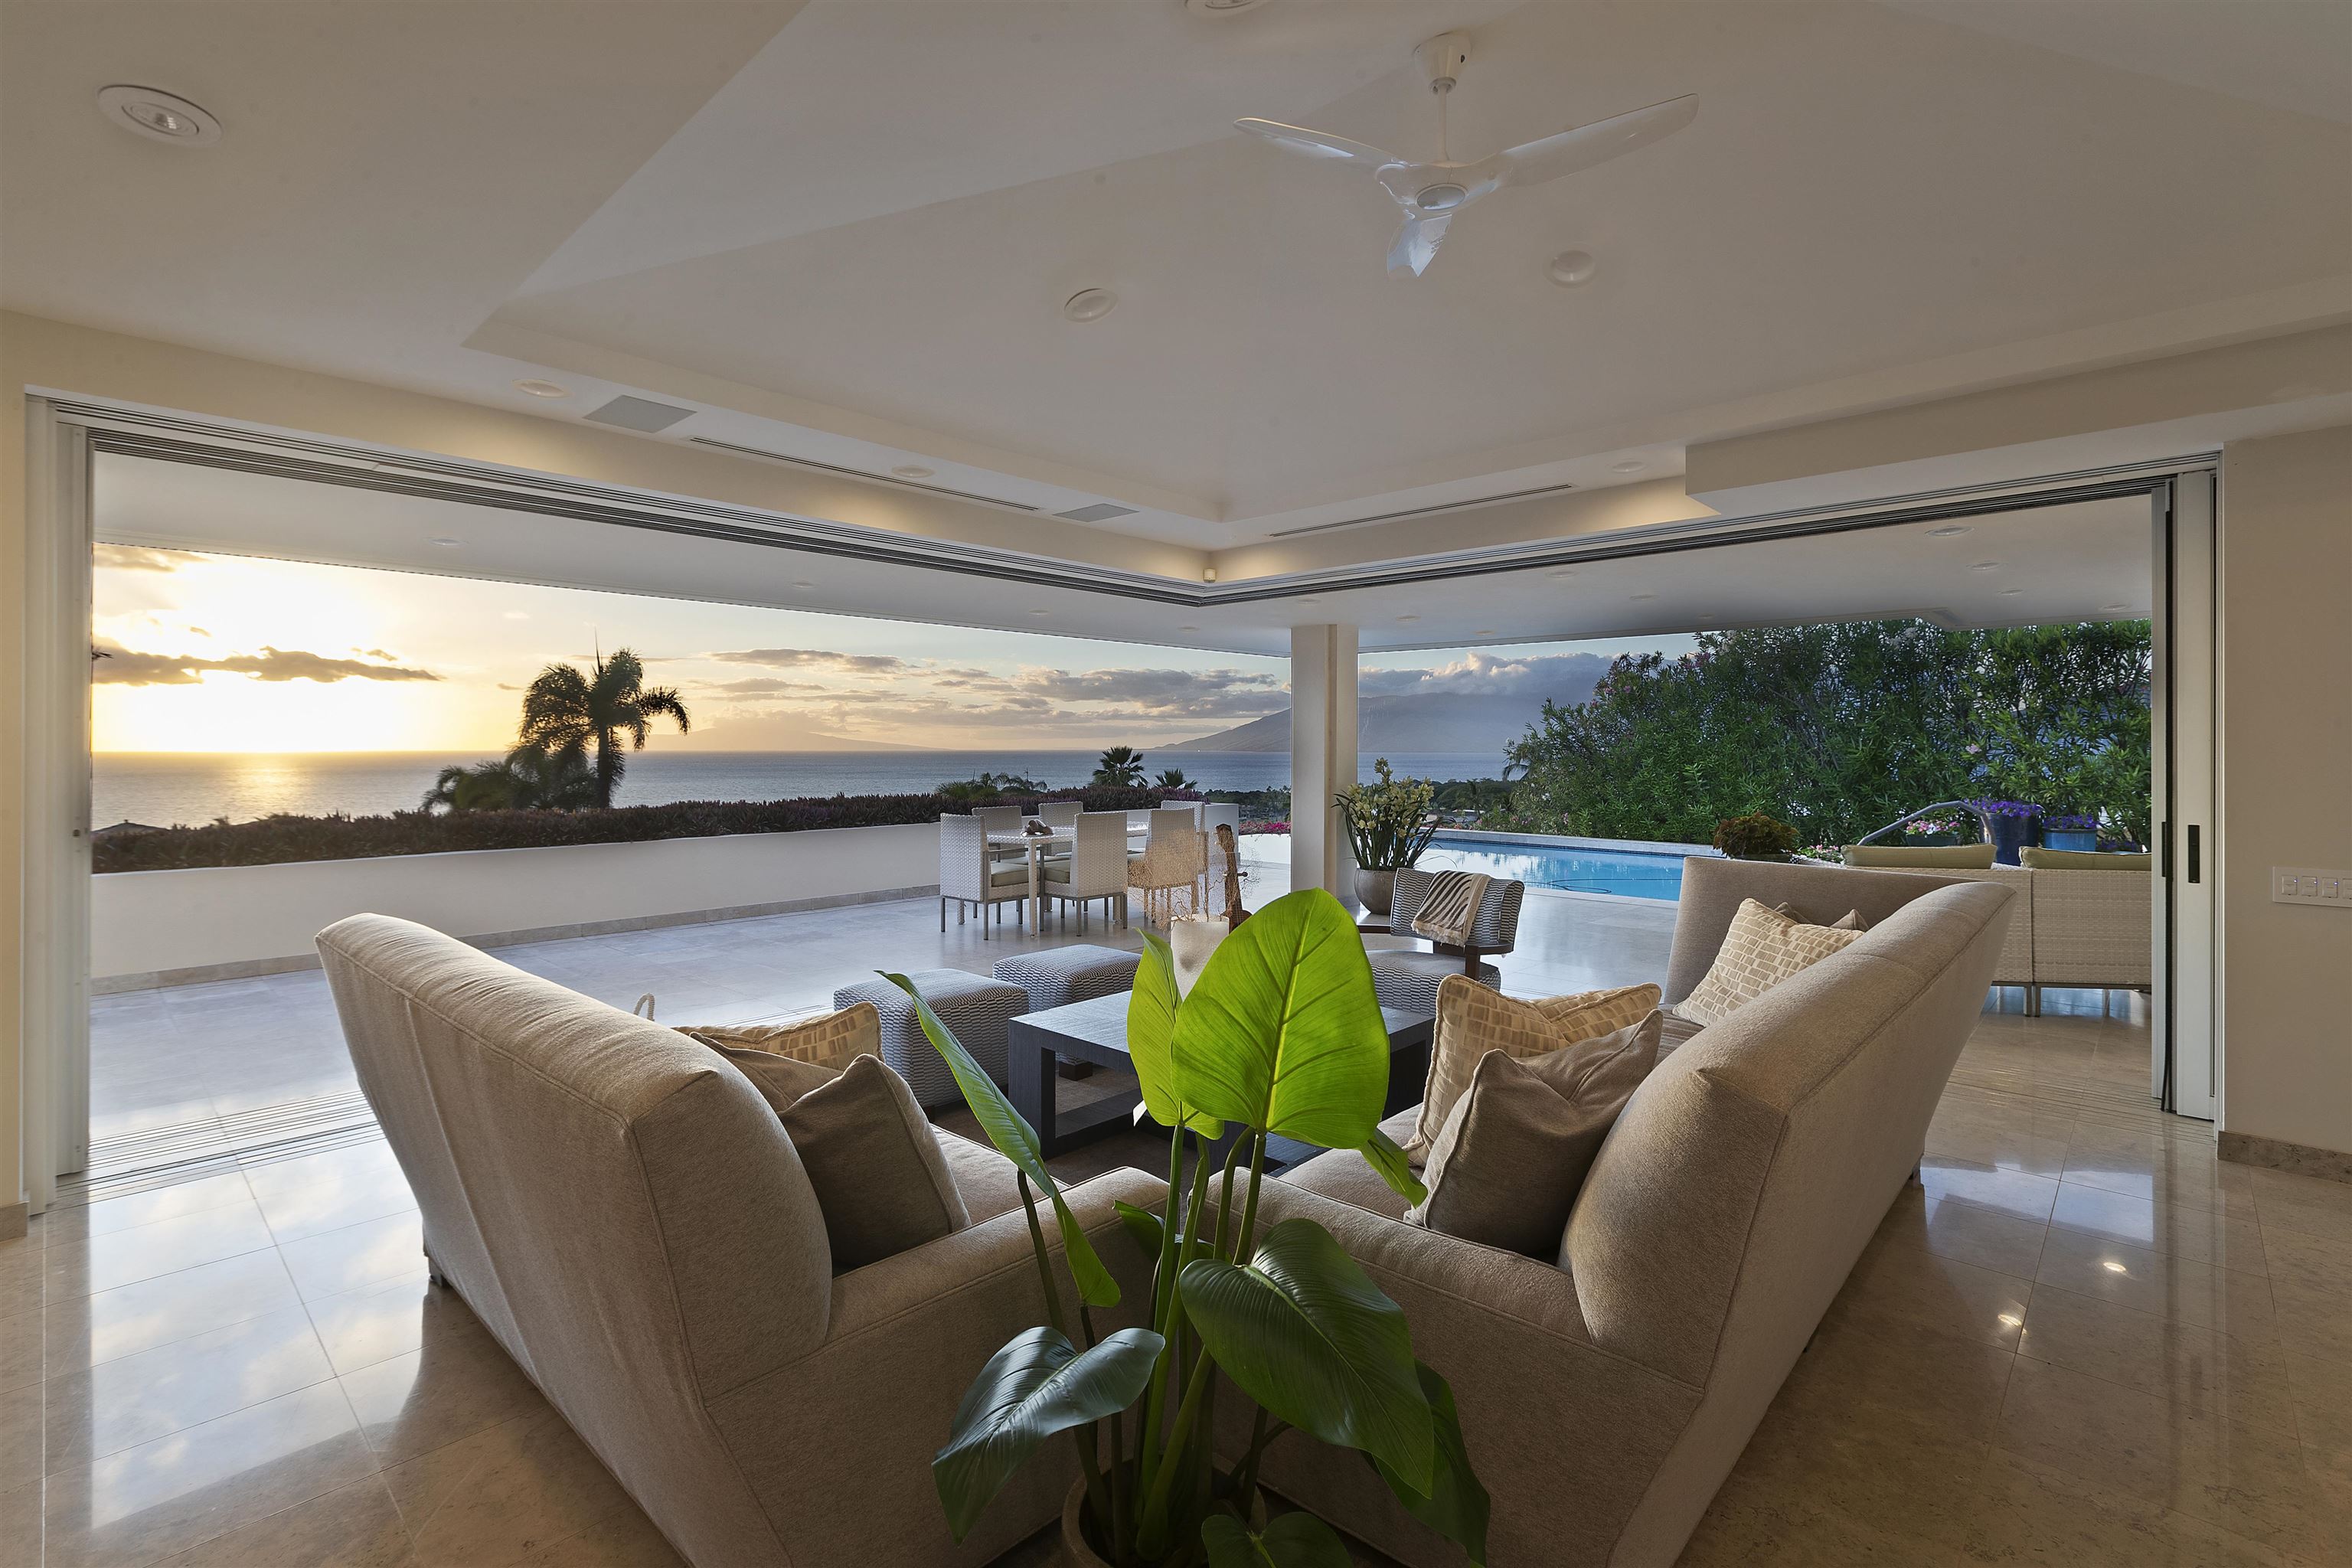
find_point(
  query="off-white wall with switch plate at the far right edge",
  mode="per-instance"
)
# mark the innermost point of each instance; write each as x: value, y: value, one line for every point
x: 2287, y: 784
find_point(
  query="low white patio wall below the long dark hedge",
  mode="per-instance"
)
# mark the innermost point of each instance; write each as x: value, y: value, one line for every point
x: 246, y: 920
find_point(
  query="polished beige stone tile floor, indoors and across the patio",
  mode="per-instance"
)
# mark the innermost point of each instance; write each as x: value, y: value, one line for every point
x: 2080, y: 1341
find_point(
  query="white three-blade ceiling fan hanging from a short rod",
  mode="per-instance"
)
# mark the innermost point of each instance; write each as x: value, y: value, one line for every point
x: 1434, y: 192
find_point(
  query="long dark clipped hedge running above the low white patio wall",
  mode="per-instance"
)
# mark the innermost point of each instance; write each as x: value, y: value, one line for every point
x: 276, y: 840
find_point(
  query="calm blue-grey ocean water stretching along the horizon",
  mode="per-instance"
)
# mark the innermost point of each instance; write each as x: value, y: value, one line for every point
x: 166, y: 789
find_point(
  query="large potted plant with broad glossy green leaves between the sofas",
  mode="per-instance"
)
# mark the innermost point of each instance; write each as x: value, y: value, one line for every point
x: 1278, y: 1038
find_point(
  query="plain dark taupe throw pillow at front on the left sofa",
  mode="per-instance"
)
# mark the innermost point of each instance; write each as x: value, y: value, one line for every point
x: 876, y: 1165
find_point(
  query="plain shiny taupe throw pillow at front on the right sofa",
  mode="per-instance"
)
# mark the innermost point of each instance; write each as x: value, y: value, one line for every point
x: 1516, y: 1151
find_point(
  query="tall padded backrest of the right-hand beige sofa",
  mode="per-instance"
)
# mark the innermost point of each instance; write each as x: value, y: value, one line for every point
x: 1746, y: 1174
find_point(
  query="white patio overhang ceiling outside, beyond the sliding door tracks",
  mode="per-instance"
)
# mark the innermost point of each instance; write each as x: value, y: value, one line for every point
x: 2066, y: 563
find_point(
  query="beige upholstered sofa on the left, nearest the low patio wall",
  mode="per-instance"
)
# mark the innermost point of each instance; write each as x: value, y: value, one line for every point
x: 627, y: 1217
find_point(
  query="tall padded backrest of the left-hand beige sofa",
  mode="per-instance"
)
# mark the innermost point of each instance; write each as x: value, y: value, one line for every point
x: 622, y: 1200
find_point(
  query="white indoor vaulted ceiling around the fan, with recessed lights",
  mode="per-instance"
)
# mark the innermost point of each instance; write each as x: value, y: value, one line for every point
x: 846, y: 229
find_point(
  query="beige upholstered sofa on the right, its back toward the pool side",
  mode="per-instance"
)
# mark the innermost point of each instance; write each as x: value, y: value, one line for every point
x: 1605, y: 1395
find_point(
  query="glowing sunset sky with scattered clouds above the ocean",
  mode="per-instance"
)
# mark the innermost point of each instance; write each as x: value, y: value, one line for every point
x: 241, y: 655
